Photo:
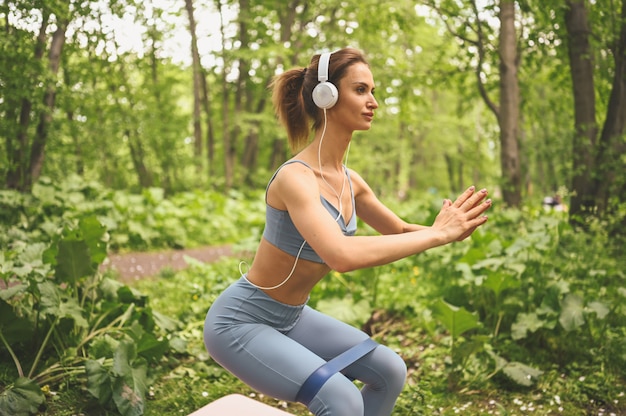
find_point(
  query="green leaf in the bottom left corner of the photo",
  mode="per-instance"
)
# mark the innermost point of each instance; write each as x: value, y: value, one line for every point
x: 23, y: 398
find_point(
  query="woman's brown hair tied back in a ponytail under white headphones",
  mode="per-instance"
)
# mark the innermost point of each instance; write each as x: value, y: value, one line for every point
x: 292, y: 95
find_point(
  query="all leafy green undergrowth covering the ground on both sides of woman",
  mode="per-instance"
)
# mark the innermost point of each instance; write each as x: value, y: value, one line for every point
x: 527, y: 304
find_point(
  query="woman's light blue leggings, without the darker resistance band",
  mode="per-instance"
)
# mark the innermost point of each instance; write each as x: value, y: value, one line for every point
x: 274, y: 348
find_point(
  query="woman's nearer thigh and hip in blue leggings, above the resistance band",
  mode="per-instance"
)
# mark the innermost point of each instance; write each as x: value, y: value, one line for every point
x: 244, y: 333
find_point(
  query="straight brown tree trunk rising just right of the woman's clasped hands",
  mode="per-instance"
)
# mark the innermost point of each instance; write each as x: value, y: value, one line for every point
x: 508, y: 119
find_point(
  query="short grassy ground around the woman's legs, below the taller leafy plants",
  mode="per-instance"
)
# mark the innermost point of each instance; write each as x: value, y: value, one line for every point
x: 189, y: 382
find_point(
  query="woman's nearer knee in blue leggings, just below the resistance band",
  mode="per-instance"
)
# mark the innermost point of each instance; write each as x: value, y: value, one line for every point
x: 338, y: 397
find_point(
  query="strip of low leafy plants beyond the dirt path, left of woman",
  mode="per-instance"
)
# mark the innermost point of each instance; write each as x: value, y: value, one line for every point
x: 135, y: 221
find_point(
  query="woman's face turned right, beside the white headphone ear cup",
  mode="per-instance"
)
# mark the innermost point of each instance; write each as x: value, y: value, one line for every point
x: 356, y: 104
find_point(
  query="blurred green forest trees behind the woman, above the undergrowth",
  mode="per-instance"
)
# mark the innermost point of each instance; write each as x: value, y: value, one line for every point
x: 524, y: 97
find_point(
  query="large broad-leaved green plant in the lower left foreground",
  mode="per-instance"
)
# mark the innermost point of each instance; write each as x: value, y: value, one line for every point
x: 62, y: 320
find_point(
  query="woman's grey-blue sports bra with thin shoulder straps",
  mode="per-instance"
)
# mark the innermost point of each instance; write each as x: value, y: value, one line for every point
x: 282, y: 233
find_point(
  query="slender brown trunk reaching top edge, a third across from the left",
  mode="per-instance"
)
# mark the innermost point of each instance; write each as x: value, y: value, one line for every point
x: 197, y: 85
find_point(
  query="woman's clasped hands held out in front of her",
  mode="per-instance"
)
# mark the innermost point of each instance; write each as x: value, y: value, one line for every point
x: 457, y: 220
